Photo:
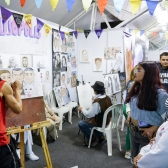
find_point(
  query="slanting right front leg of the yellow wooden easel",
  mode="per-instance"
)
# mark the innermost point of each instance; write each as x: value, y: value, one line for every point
x: 45, y: 148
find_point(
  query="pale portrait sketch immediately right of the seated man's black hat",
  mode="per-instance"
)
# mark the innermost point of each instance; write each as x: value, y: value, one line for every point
x: 108, y: 84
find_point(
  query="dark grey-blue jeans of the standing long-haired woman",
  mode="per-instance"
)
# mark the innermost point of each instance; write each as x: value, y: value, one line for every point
x: 137, y: 142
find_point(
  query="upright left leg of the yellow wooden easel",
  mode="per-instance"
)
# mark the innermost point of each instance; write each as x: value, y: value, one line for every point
x: 22, y: 150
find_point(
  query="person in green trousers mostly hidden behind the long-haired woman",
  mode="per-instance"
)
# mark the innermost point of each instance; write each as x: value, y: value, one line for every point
x: 126, y: 112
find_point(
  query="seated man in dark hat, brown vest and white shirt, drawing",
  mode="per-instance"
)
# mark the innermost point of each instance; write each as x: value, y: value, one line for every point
x: 95, y: 114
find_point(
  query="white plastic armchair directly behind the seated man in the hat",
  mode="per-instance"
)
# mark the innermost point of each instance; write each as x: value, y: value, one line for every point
x: 116, y: 111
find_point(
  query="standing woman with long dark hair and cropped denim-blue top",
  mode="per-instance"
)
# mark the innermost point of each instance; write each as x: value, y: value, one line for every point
x: 146, y: 99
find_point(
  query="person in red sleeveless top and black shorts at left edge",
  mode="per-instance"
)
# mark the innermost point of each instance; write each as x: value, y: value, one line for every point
x: 11, y: 96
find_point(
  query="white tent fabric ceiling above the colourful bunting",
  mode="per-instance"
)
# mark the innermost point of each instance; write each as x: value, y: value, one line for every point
x: 62, y: 17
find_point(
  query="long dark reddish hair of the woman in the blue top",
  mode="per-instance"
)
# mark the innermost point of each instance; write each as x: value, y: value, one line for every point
x: 147, y: 92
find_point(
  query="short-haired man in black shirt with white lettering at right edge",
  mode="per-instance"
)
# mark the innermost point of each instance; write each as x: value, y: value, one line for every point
x: 163, y: 68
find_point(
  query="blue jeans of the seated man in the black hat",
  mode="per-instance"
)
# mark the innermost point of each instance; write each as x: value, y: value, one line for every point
x: 86, y: 129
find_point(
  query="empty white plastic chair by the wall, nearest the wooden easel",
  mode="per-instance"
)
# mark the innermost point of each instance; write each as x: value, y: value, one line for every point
x: 59, y: 110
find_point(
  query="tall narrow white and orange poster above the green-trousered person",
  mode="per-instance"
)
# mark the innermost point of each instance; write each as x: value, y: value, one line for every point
x: 128, y: 55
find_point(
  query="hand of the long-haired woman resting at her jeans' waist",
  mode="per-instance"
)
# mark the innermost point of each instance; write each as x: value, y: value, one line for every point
x: 149, y: 132
